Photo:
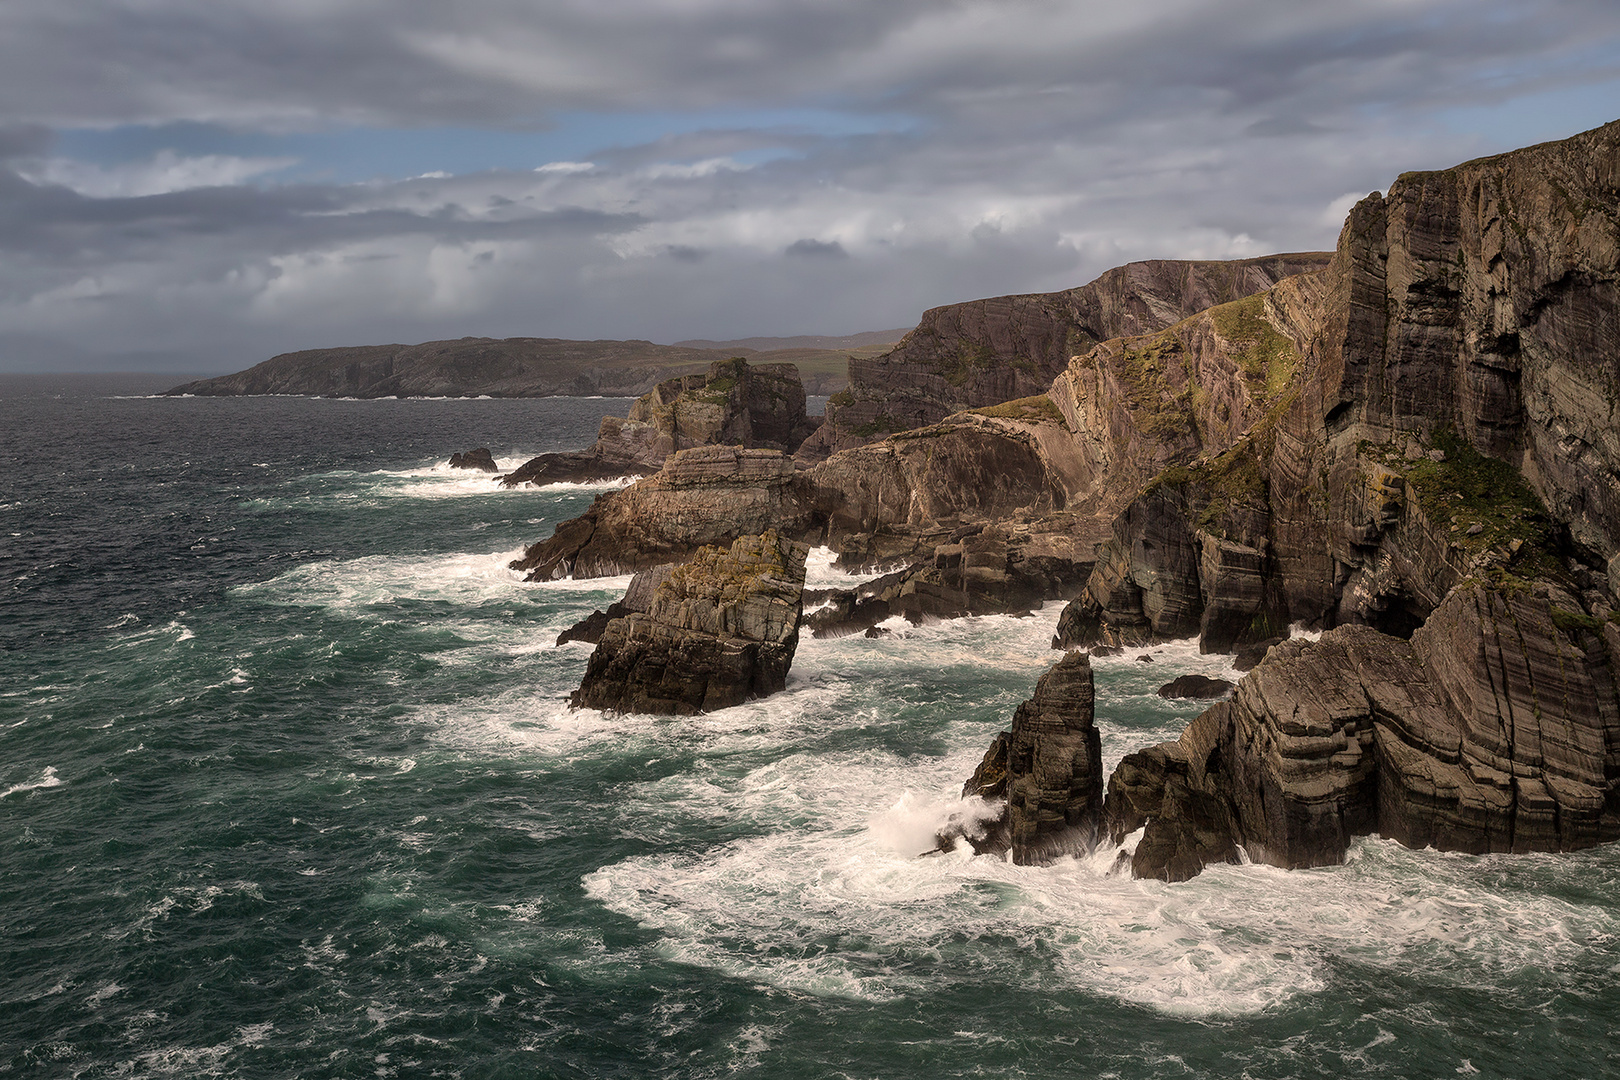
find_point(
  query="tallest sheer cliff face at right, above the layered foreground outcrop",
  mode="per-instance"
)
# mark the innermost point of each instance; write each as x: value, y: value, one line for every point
x: 1451, y: 412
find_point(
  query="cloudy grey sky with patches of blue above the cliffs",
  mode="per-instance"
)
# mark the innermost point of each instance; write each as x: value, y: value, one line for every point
x: 198, y: 185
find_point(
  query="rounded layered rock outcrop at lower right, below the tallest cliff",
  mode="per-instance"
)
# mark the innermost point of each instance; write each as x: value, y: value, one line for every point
x: 1494, y: 729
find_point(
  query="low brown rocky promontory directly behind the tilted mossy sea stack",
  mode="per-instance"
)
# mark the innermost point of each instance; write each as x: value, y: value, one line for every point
x: 981, y: 500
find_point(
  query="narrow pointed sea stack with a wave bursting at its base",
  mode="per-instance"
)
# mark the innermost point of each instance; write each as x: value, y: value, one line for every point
x: 1047, y: 768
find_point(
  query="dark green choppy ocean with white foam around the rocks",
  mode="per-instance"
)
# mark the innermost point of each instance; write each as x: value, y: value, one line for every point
x: 289, y: 788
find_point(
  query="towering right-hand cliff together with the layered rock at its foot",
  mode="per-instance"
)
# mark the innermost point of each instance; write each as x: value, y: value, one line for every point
x: 1438, y: 480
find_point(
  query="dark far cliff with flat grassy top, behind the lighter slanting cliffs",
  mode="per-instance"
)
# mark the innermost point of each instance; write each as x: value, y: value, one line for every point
x: 994, y: 351
